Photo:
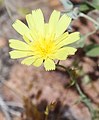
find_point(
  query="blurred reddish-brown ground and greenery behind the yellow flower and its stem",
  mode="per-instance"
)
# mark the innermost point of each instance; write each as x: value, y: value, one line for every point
x: 25, y: 91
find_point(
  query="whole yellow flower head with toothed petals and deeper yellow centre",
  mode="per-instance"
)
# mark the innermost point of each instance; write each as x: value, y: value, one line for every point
x: 43, y: 42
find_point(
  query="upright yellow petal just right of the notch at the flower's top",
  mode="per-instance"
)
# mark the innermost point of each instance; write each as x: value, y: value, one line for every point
x: 53, y: 21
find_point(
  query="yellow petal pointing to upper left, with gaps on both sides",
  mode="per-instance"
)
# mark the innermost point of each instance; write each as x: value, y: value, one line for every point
x: 21, y: 28
